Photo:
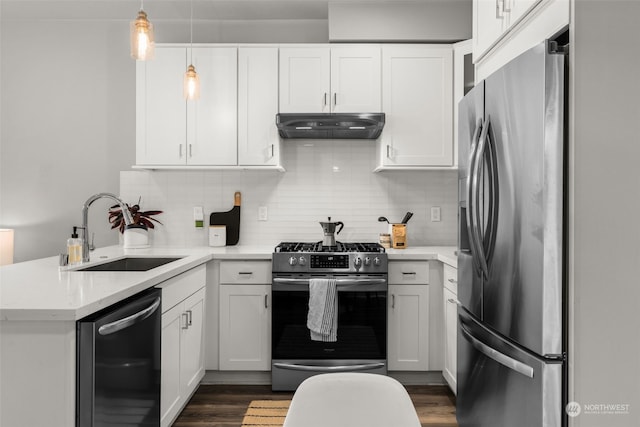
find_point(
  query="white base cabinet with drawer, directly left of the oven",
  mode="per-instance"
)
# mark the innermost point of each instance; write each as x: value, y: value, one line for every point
x: 245, y: 316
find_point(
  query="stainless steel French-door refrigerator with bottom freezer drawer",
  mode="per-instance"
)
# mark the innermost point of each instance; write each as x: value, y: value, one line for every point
x: 511, y: 285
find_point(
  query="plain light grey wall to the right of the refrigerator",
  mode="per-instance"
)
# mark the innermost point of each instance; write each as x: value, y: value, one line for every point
x: 605, y: 231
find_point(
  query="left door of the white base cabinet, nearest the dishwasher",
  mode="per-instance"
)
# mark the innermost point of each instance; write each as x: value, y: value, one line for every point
x: 170, y: 388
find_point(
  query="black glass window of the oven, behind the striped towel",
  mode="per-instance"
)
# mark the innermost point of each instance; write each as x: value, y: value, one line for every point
x: 362, y: 327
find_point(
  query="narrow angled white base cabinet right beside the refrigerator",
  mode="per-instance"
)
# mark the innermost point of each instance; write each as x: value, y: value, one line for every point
x: 450, y: 297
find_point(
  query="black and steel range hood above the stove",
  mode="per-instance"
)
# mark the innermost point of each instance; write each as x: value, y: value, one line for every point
x: 330, y: 125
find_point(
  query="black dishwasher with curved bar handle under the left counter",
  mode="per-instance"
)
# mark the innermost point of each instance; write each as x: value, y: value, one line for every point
x: 118, y: 364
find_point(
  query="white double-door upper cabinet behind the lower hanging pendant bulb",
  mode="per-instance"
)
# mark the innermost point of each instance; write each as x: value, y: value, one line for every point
x: 171, y: 131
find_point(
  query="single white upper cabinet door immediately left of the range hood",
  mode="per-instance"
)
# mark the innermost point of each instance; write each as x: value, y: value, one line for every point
x: 258, y: 141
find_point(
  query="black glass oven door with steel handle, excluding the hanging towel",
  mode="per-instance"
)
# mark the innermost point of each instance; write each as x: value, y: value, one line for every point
x: 362, y: 327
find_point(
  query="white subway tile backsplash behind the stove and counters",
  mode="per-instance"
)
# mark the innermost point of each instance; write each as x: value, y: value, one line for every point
x: 327, y: 178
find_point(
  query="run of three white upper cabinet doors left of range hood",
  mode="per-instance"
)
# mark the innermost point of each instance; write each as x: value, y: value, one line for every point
x: 232, y: 124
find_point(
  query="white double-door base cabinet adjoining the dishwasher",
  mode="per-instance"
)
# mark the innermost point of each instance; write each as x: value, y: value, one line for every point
x: 182, y: 357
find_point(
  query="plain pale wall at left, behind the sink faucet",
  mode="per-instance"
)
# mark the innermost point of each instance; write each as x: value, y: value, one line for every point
x: 68, y: 126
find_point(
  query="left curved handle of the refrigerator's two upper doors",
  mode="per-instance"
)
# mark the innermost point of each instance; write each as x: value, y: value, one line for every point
x: 476, y: 207
